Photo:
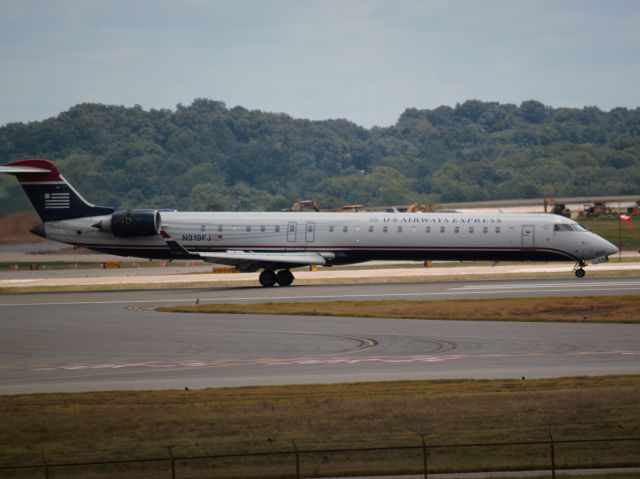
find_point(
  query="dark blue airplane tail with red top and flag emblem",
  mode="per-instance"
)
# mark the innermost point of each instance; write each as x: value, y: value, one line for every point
x: 51, y: 195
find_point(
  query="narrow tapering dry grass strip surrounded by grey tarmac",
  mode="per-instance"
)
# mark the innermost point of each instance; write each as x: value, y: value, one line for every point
x: 620, y: 309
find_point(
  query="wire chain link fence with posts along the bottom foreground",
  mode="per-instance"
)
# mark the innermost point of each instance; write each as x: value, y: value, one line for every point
x: 547, y: 456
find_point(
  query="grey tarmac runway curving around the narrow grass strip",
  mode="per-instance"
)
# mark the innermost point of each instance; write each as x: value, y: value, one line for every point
x: 114, y: 340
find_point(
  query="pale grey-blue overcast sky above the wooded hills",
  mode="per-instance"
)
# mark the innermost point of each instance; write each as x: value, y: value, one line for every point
x: 363, y: 60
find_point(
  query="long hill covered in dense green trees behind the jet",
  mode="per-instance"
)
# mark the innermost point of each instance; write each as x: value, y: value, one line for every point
x: 208, y: 157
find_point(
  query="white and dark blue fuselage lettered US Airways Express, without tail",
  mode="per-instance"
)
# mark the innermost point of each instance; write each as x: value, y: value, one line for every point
x: 354, y: 237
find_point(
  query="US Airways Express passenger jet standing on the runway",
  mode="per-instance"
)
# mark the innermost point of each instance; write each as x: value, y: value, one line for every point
x: 275, y: 242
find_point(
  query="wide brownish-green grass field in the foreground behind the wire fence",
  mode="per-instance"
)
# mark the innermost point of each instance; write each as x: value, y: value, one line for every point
x: 125, y: 425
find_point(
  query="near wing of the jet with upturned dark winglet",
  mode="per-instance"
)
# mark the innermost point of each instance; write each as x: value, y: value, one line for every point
x: 252, y: 260
